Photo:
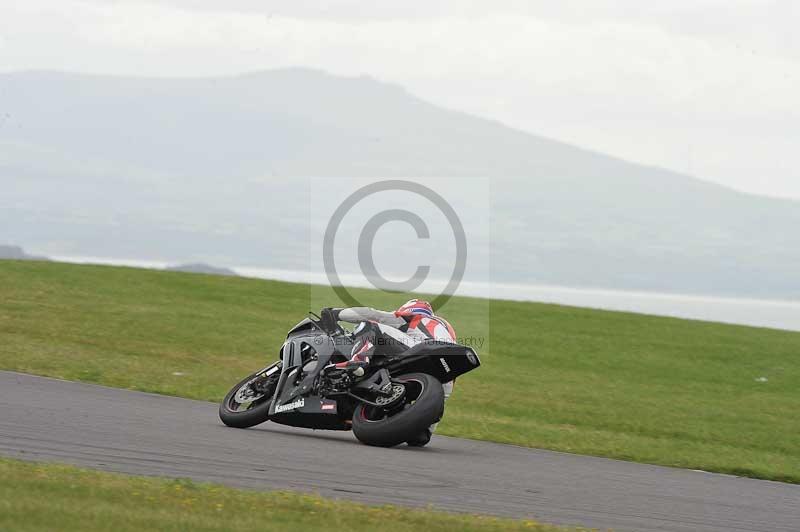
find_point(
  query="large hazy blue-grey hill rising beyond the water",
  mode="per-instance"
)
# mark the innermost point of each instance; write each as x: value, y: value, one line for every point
x: 215, y: 170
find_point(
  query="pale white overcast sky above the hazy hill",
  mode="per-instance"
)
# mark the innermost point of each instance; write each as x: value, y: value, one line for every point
x: 705, y: 87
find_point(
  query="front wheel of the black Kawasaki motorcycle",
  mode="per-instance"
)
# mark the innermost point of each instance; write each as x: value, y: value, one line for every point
x: 236, y: 411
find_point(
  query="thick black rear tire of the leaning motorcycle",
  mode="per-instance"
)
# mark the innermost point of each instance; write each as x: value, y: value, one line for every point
x: 377, y: 427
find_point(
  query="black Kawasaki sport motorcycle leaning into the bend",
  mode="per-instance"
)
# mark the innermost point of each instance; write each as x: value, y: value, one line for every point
x: 396, y: 399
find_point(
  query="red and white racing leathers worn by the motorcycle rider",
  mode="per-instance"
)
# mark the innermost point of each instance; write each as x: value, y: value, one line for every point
x: 408, y: 327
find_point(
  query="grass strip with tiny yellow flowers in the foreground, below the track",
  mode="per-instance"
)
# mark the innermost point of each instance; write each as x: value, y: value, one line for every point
x: 46, y: 497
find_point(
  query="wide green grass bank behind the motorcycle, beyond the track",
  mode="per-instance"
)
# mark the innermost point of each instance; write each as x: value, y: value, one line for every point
x: 648, y: 389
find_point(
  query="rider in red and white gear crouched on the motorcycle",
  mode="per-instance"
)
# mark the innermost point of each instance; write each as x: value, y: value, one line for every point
x: 414, y: 322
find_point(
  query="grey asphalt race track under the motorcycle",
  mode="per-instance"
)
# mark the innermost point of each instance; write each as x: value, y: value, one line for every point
x: 132, y: 432
